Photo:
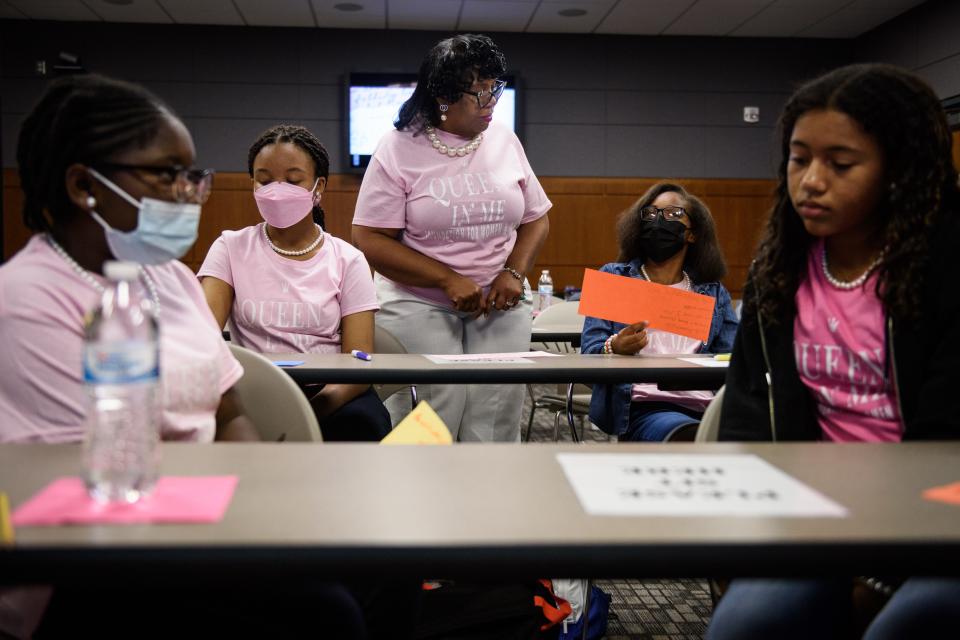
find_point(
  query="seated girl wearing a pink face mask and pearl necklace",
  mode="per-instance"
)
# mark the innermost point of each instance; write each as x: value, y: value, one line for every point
x: 285, y: 285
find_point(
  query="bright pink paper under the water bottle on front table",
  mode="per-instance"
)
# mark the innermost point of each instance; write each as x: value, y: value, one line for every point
x: 175, y: 499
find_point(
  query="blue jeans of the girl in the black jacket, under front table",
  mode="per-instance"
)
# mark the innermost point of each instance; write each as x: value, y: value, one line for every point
x: 795, y: 608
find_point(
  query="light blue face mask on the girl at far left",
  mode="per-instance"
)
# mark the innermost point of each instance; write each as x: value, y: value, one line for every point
x: 165, y: 230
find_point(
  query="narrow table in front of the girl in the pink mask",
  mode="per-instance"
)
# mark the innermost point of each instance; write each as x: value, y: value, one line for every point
x: 408, y: 368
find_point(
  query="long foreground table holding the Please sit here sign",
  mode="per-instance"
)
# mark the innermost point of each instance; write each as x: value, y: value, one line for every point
x: 488, y: 511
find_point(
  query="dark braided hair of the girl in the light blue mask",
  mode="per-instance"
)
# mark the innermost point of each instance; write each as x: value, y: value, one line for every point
x: 79, y: 119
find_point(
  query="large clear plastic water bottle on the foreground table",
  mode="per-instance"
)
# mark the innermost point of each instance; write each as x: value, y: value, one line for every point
x: 121, y: 373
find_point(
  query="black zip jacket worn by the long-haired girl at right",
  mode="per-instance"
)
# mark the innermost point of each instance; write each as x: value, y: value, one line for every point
x: 924, y: 358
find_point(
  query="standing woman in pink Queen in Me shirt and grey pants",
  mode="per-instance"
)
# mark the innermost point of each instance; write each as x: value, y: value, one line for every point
x: 451, y: 216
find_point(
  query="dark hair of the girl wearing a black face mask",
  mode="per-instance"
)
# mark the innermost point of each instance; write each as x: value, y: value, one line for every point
x: 704, y: 260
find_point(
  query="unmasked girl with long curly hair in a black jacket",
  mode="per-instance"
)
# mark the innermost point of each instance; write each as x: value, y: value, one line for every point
x: 850, y: 319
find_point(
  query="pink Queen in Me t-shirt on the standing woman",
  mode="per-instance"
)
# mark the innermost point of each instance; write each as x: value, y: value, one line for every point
x: 463, y: 211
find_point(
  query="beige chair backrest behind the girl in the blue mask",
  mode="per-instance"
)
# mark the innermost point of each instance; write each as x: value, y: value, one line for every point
x: 278, y: 408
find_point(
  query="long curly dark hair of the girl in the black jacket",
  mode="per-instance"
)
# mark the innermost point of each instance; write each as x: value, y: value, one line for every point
x: 905, y: 118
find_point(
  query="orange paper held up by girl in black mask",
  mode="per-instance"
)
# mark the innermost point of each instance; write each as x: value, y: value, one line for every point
x: 628, y: 300
